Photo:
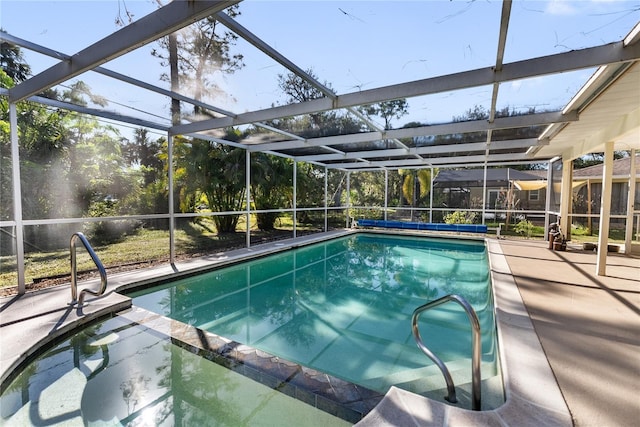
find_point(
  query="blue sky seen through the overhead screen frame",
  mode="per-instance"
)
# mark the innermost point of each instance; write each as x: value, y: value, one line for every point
x: 351, y: 45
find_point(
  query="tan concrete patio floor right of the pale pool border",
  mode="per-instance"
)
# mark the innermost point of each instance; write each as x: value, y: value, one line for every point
x: 588, y: 325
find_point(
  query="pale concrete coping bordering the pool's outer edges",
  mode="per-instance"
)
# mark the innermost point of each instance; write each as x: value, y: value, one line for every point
x: 533, y: 397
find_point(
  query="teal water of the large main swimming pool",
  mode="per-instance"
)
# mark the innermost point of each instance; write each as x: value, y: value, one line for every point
x: 344, y: 307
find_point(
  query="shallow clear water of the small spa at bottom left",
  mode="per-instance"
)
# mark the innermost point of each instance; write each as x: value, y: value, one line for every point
x: 120, y: 373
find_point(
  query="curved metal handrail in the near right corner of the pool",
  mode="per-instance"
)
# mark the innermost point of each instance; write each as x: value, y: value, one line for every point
x: 475, y: 359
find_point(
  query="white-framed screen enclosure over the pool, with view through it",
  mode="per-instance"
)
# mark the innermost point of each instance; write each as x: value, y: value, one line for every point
x: 170, y: 130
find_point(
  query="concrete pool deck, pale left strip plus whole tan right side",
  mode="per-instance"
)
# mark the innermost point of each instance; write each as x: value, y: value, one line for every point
x: 588, y: 327
